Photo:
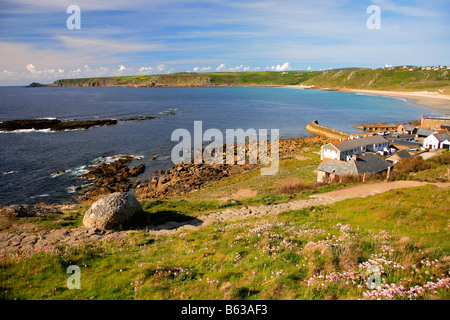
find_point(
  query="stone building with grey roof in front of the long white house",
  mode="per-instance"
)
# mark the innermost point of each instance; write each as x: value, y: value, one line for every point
x: 330, y: 169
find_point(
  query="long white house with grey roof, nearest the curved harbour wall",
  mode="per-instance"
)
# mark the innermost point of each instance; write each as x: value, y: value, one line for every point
x: 344, y: 150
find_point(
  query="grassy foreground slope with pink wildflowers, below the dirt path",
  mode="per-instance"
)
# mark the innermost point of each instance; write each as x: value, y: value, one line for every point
x: 315, y: 253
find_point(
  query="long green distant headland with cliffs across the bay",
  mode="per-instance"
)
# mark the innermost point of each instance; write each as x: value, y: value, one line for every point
x: 405, y: 78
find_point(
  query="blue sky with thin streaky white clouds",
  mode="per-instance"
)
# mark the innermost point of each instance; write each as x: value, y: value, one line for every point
x: 138, y: 37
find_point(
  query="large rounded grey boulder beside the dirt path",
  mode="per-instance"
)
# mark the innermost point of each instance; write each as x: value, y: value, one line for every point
x: 111, y: 211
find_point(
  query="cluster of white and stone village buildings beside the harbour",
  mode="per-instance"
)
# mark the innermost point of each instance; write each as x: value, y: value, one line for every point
x: 378, y: 151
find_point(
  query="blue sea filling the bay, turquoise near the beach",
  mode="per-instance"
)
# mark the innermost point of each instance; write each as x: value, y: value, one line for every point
x: 29, y: 158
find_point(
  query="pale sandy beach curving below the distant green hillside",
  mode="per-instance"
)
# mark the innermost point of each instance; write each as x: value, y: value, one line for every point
x: 439, y: 102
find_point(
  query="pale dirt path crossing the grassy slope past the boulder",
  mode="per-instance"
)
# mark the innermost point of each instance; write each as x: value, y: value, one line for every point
x: 23, y: 240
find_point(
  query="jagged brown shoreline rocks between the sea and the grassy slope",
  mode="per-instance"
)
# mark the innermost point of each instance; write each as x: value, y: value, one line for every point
x: 180, y: 179
